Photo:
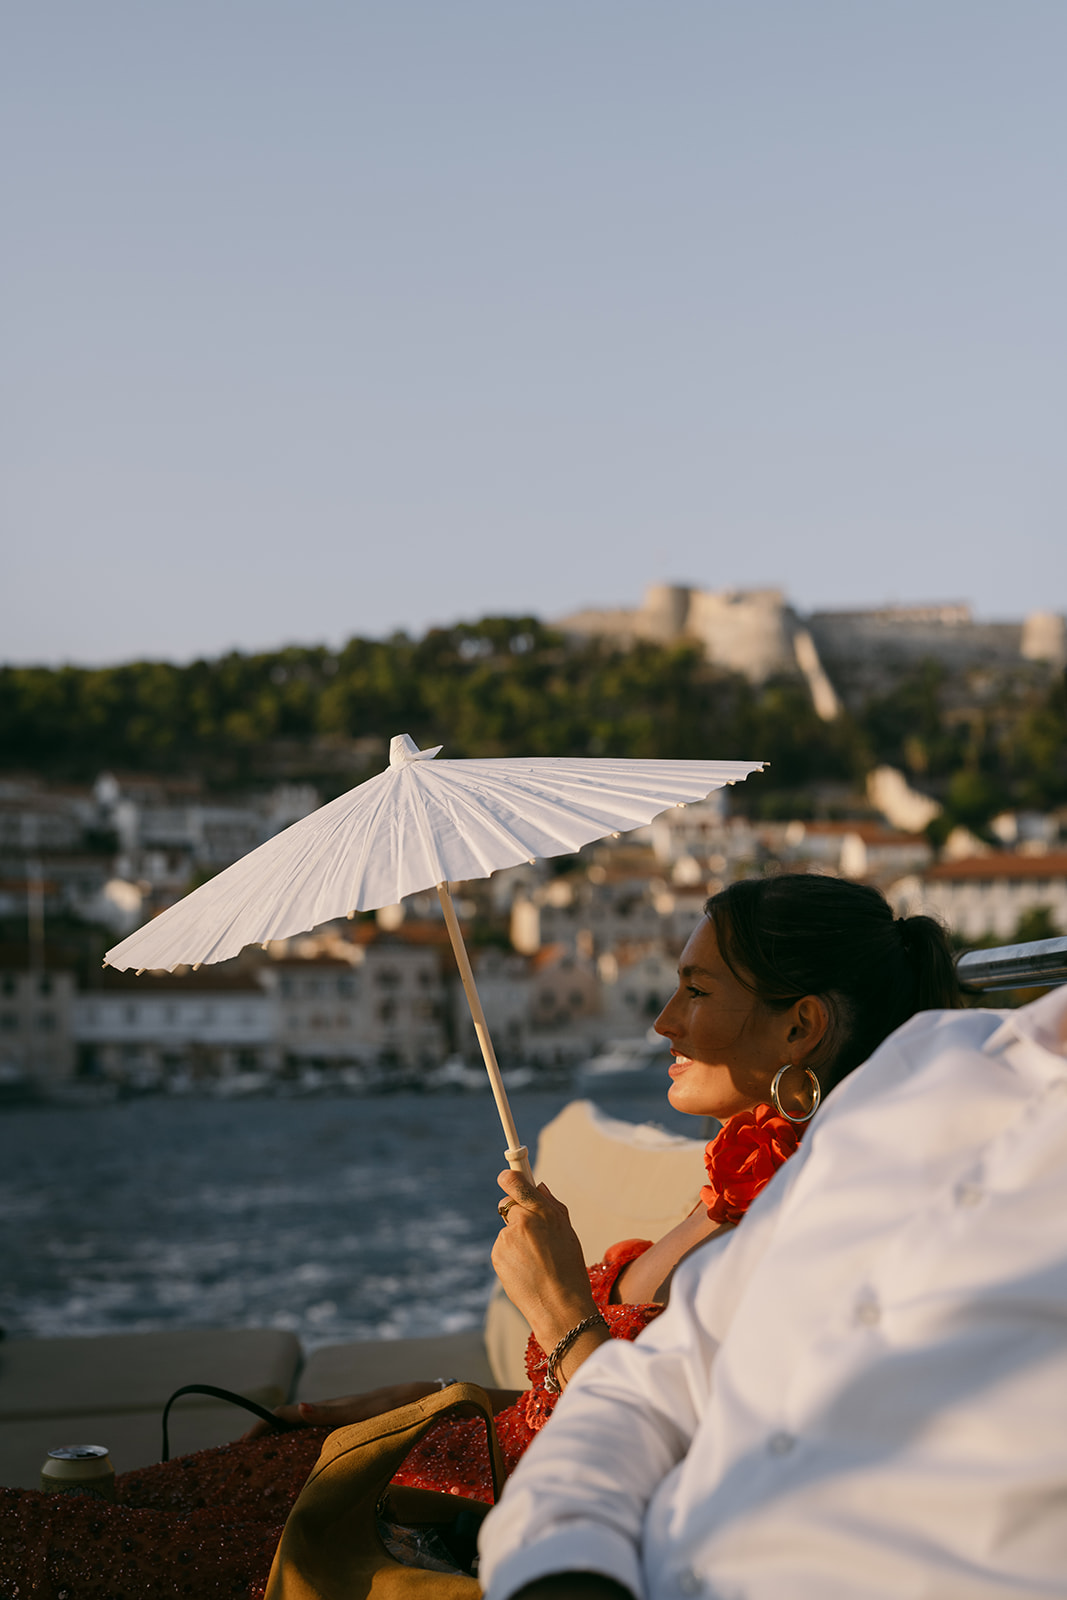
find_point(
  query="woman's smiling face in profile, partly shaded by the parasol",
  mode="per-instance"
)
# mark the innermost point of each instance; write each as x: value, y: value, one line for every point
x: 727, y: 1046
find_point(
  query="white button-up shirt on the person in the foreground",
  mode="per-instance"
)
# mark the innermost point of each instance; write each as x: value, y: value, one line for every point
x: 863, y: 1393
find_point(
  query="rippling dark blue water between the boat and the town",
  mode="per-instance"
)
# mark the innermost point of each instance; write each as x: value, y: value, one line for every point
x: 337, y: 1218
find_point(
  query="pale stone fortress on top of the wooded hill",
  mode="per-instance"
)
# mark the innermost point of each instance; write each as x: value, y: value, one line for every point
x: 842, y: 655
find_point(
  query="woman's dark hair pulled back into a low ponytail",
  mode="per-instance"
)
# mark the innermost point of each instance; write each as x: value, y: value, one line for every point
x: 809, y: 935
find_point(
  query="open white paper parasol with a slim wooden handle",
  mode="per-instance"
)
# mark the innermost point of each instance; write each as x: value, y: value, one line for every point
x: 417, y: 826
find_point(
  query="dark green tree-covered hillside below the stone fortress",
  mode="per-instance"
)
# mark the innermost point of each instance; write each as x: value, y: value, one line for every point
x: 514, y: 687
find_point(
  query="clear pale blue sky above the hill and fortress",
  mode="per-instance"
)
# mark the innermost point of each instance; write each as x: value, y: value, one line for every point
x: 329, y: 318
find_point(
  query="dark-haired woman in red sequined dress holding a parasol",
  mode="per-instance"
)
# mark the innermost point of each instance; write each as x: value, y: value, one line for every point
x: 785, y: 988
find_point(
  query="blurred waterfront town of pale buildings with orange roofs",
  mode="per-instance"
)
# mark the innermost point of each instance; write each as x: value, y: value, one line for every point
x: 572, y: 954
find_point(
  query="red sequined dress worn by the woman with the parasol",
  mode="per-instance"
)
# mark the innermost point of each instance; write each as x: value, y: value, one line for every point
x: 207, y: 1526
